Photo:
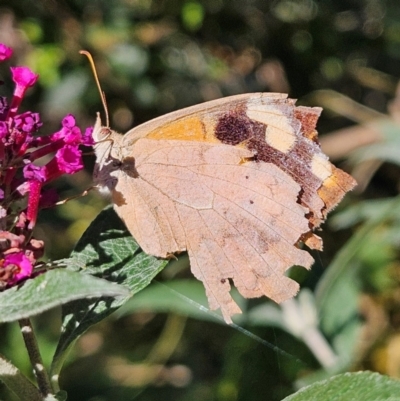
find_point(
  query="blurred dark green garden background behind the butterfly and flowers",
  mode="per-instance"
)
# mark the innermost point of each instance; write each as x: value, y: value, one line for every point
x: 153, y: 57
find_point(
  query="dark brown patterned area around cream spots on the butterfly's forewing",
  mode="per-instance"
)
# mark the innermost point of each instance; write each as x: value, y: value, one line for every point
x: 235, y: 127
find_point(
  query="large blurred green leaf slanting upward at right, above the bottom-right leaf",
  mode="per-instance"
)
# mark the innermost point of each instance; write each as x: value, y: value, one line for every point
x: 362, y: 262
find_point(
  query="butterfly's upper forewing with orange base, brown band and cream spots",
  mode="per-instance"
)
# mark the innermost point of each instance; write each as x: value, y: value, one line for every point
x: 271, y: 126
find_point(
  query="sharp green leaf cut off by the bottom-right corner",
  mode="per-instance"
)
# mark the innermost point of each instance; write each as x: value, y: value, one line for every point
x: 365, y: 386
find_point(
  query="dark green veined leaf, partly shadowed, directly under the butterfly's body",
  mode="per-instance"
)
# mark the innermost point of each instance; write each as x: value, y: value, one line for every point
x: 106, y: 250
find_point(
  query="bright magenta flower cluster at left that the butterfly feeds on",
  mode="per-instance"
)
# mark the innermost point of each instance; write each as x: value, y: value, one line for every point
x: 23, y: 183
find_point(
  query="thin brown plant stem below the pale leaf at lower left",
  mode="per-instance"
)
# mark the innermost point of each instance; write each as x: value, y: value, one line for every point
x: 35, y: 357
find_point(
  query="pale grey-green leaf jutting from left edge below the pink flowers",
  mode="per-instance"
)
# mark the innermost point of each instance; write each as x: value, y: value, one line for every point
x: 53, y: 288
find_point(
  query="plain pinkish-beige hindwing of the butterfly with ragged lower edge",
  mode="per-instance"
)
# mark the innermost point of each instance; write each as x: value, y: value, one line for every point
x: 239, y: 220
